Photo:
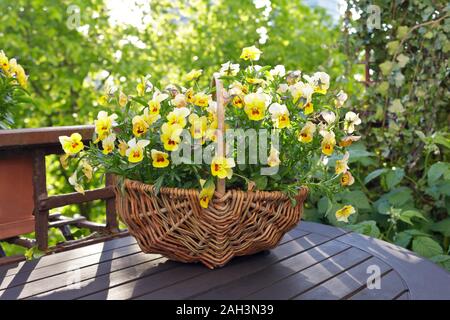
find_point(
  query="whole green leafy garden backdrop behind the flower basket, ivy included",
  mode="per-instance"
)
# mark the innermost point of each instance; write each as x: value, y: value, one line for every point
x: 72, y: 49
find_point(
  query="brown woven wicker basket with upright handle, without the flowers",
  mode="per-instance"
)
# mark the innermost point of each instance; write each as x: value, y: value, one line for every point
x: 236, y: 223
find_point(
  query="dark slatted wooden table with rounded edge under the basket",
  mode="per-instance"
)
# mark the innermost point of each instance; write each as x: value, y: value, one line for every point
x: 313, y: 261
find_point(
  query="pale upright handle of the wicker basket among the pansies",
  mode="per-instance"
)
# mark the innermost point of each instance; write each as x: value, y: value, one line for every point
x: 220, y: 152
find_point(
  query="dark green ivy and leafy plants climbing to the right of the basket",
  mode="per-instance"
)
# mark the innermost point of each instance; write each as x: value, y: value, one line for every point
x: 406, y: 179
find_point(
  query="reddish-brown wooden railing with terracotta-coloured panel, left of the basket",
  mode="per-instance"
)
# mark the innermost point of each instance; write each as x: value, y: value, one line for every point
x: 24, y: 201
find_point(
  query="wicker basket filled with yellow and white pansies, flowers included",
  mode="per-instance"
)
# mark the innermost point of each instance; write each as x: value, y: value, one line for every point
x: 266, y: 133
